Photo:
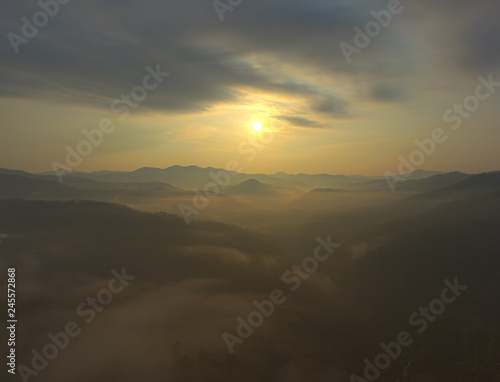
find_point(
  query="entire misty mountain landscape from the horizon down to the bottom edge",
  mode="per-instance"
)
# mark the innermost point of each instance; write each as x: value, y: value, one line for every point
x: 193, y: 281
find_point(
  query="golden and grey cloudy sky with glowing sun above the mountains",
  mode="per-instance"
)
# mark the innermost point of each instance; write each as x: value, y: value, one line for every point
x: 280, y: 62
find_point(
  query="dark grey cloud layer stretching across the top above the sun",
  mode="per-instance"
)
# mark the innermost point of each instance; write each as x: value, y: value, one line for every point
x: 94, y: 52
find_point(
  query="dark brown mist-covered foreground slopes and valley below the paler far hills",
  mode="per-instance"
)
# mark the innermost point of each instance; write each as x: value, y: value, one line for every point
x: 192, y: 282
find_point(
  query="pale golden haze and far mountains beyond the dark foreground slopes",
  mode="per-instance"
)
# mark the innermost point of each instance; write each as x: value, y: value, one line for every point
x: 255, y: 201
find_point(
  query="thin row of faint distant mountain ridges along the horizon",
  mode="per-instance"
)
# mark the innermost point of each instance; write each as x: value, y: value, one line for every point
x: 177, y: 180
